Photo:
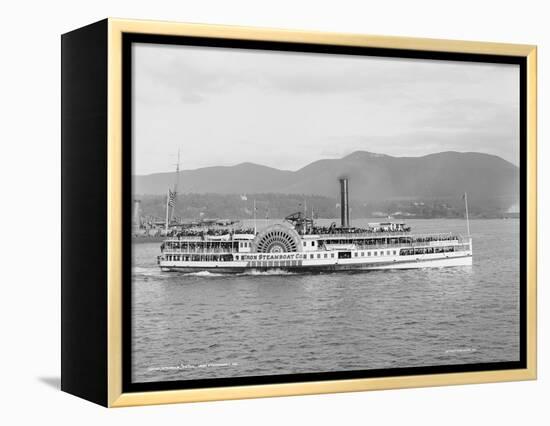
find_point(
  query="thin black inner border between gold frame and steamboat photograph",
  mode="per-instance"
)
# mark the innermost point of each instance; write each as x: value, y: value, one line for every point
x: 129, y: 38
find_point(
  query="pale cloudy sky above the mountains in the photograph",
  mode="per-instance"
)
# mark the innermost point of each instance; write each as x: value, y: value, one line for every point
x: 223, y: 107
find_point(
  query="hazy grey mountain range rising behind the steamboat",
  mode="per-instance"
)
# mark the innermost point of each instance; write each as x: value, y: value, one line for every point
x: 372, y: 177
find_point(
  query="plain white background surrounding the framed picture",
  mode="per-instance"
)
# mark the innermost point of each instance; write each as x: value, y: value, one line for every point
x: 30, y: 165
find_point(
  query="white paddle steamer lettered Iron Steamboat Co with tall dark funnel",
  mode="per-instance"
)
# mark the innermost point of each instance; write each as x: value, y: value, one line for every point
x: 299, y: 245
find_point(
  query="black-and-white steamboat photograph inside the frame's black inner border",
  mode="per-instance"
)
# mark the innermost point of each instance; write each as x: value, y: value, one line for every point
x: 298, y: 213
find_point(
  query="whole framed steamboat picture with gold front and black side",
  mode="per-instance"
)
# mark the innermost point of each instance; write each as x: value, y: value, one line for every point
x: 251, y: 212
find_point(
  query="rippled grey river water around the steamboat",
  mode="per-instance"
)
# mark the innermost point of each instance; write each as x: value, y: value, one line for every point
x: 203, y: 325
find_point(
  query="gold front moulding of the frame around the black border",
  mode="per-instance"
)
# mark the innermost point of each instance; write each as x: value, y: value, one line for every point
x: 116, y: 398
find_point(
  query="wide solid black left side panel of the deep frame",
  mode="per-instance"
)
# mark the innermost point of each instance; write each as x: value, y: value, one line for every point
x: 84, y: 212
